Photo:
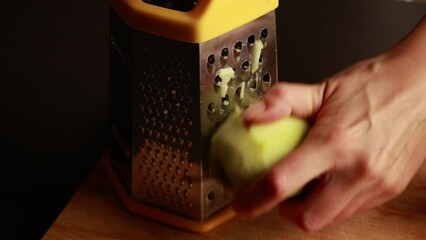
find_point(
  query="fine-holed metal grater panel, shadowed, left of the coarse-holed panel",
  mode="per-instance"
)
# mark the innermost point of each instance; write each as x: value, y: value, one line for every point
x: 166, y: 165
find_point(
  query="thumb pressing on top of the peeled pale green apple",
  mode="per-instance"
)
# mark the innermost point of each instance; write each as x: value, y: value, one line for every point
x: 284, y: 99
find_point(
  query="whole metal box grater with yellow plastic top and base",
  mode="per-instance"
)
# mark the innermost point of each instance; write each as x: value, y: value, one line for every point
x: 177, y: 69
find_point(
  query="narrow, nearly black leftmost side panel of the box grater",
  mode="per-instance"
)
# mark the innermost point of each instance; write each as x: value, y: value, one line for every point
x: 120, y: 95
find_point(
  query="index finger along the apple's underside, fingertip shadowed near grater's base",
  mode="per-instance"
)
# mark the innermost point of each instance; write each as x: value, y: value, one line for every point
x: 283, y: 180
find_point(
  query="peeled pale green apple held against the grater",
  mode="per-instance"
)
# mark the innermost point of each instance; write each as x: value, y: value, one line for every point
x: 243, y: 153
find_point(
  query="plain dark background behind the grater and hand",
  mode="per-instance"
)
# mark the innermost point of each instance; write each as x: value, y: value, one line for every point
x: 53, y: 86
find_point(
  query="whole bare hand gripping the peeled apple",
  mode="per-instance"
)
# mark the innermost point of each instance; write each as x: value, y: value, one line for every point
x: 367, y: 142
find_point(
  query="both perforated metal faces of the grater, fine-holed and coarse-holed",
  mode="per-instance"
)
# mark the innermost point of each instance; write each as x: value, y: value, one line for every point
x: 178, y: 100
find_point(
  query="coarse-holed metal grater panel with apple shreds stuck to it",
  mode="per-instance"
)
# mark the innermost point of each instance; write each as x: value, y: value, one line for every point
x: 232, y: 50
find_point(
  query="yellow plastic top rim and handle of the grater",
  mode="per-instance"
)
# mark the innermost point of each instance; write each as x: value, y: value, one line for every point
x: 207, y: 20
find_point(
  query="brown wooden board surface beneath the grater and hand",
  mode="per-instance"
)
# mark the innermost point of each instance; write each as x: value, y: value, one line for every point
x: 95, y: 212
